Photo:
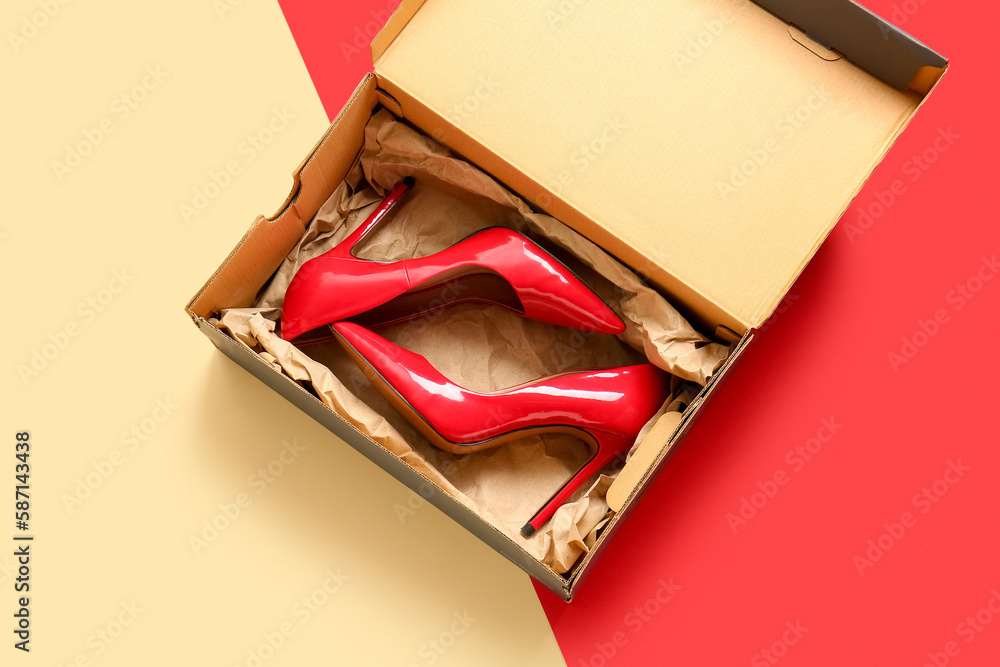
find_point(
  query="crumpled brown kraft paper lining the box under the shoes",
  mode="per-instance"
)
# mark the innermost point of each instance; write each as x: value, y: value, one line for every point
x: 482, y: 347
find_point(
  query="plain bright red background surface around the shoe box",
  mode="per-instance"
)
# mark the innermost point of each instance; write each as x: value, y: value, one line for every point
x: 825, y: 355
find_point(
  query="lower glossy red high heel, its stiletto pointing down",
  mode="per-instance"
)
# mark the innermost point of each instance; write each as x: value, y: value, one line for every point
x: 604, y: 408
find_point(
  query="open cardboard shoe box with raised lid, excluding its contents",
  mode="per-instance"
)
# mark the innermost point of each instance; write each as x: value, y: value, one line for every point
x: 710, y: 145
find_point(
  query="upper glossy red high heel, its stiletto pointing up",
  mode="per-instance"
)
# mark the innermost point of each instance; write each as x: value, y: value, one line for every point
x: 498, y: 265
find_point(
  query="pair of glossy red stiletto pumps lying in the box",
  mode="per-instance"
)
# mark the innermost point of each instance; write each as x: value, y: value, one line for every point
x: 605, y: 408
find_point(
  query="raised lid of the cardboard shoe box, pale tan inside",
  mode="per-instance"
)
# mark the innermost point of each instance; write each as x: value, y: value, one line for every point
x: 711, y: 138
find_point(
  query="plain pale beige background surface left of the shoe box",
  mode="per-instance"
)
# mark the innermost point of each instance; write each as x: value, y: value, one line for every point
x: 111, y: 230
